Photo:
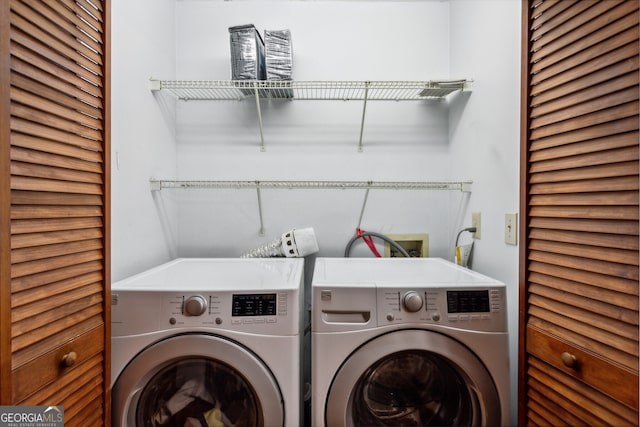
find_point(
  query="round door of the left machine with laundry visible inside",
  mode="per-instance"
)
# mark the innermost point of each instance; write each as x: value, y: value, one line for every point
x: 194, y: 380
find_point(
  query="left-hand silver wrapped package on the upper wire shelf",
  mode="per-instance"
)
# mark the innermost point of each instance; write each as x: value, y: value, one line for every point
x: 247, y: 54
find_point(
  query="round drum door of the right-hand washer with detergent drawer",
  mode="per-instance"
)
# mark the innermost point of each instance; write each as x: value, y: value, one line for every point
x: 409, y: 378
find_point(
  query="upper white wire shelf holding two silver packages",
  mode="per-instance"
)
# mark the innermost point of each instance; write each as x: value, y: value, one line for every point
x: 311, y: 90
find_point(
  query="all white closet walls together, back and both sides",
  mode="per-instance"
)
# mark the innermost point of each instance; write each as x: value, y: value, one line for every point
x: 471, y: 136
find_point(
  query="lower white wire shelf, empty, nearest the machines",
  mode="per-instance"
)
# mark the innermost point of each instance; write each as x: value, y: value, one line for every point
x: 464, y: 186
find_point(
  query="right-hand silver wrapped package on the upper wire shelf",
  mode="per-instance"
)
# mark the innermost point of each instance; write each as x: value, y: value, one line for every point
x: 279, y: 60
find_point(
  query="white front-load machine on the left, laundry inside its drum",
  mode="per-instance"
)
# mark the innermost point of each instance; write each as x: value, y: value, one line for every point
x: 203, y: 339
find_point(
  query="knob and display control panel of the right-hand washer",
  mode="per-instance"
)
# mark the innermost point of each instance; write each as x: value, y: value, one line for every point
x: 475, y: 308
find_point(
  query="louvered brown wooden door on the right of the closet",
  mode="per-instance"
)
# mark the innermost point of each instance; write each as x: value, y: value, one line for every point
x: 579, y: 255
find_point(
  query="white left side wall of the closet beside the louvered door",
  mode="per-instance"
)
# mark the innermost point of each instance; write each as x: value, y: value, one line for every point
x: 144, y: 230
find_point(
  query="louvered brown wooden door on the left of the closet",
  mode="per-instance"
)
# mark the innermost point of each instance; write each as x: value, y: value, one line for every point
x: 54, y: 201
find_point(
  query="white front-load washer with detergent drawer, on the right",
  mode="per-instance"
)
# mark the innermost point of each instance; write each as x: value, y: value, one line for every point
x: 407, y: 341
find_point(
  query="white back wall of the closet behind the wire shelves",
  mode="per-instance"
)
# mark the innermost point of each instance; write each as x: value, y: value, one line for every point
x: 316, y: 140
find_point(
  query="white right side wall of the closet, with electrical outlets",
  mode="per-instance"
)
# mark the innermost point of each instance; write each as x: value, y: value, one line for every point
x: 484, y: 136
